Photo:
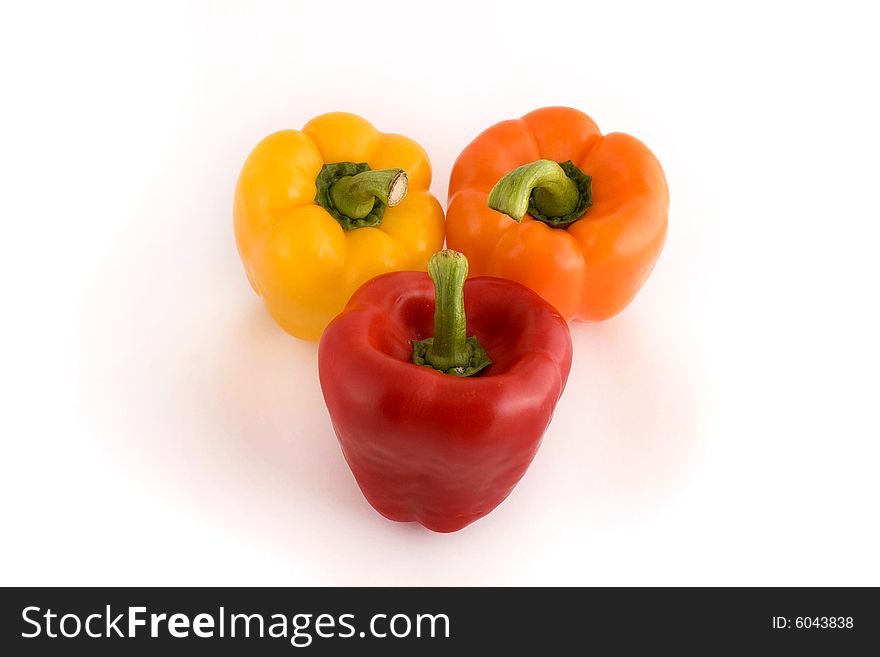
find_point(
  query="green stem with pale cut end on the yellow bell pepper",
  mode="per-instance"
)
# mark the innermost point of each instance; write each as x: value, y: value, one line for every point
x: 355, y: 195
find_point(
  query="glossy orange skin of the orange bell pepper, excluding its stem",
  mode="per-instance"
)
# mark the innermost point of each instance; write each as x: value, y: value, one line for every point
x: 589, y: 269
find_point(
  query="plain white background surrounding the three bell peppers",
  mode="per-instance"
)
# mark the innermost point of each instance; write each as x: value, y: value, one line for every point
x: 158, y: 428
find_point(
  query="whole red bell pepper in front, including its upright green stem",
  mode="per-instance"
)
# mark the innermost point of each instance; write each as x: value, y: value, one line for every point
x: 432, y: 429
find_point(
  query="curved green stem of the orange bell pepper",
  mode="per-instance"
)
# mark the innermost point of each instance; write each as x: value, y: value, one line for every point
x: 555, y: 193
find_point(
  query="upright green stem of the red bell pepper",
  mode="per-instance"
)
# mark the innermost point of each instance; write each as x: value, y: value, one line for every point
x: 450, y: 350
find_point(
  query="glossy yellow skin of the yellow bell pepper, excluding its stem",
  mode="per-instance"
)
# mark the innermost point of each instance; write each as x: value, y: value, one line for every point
x: 297, y: 256
